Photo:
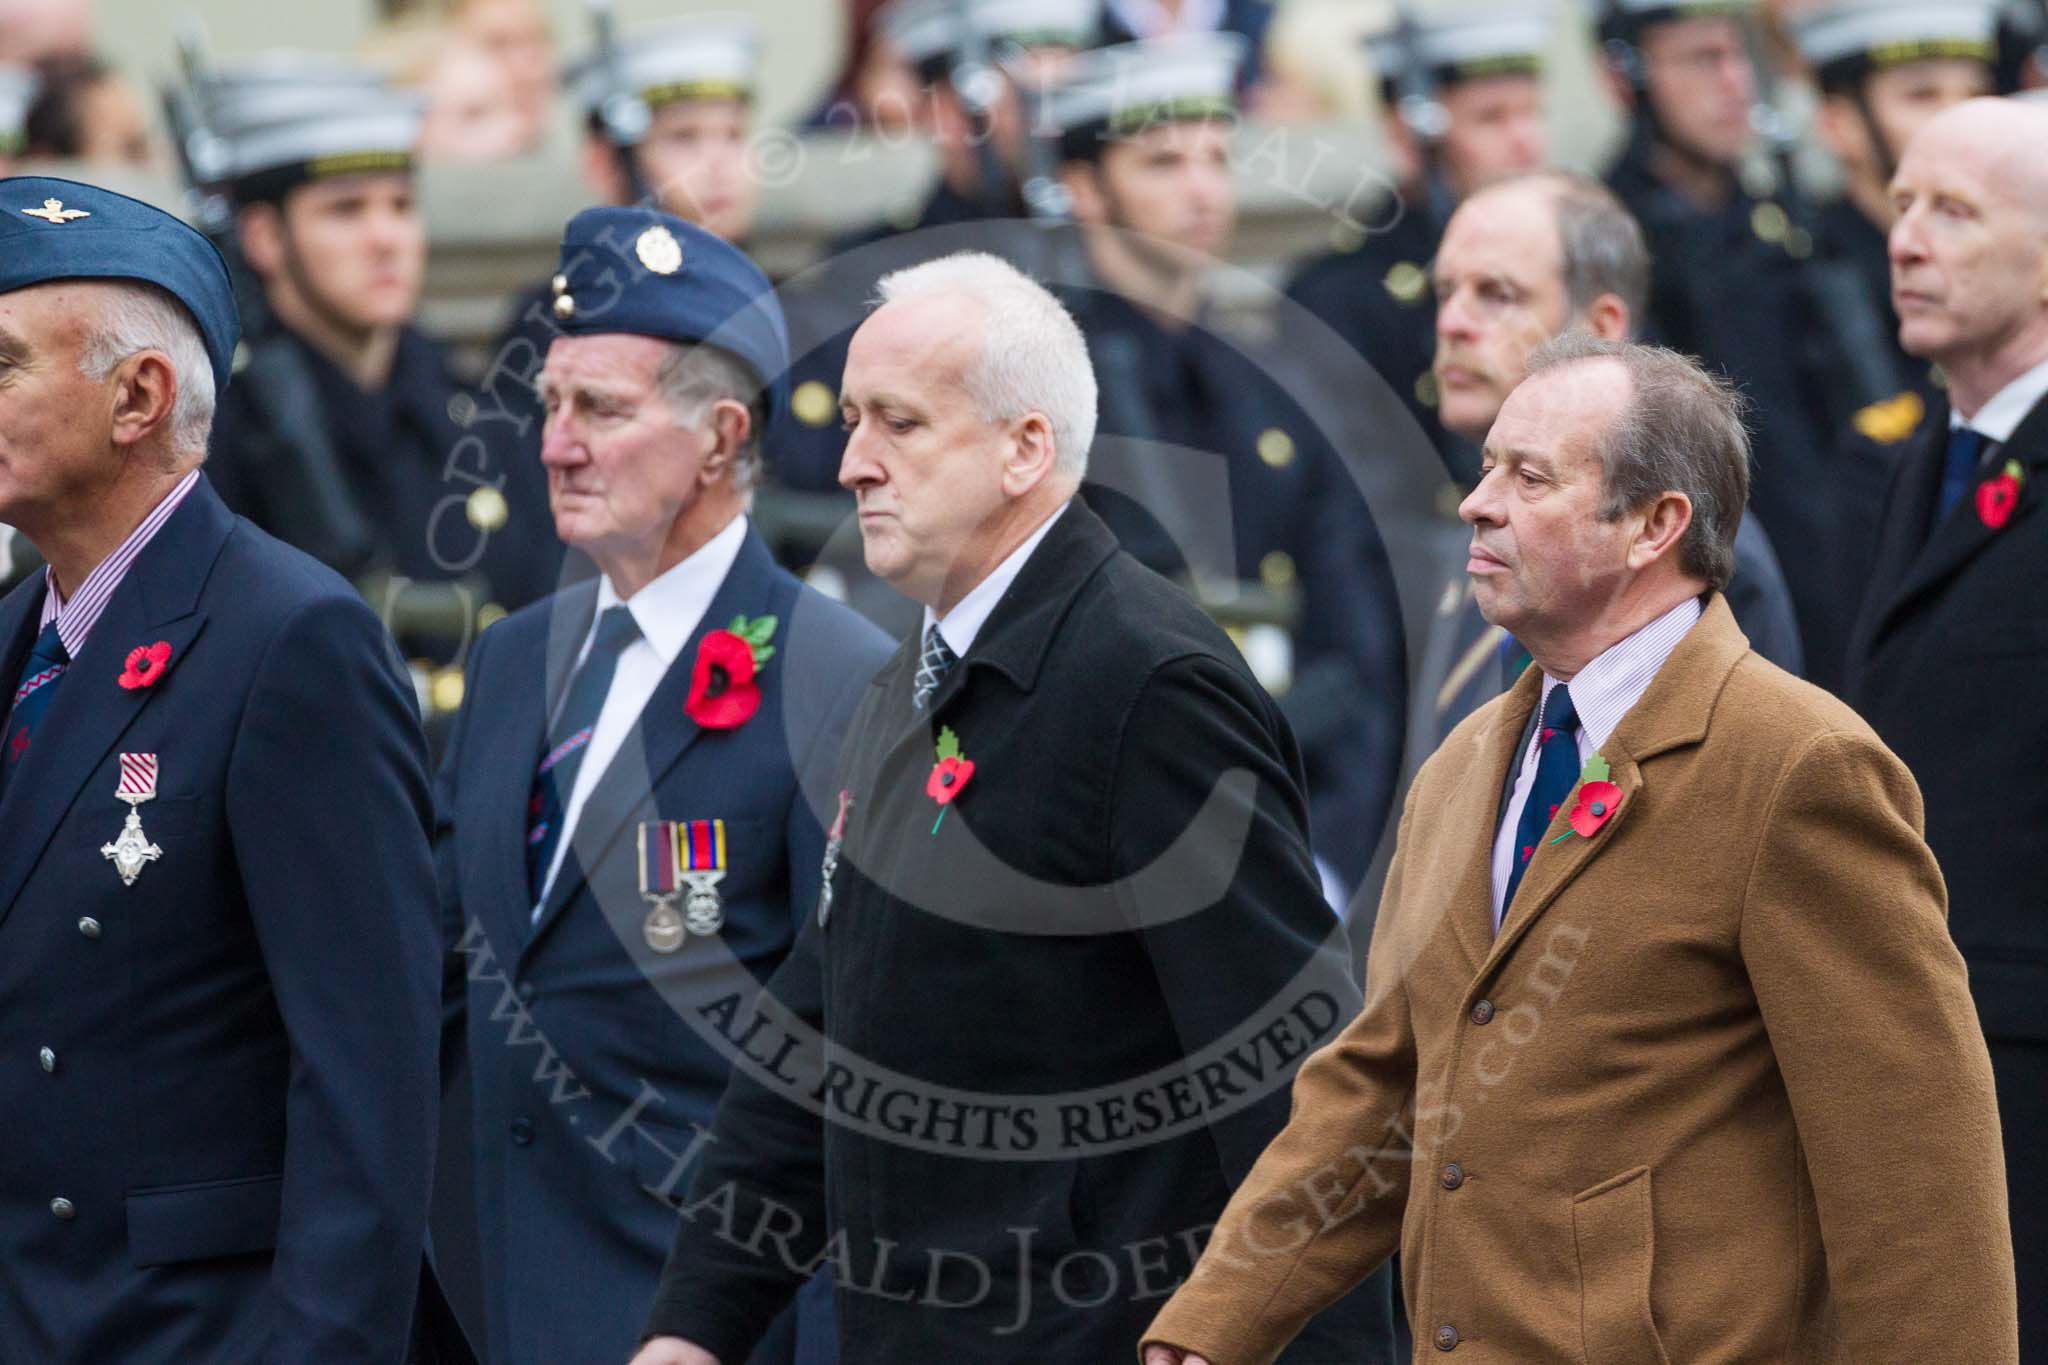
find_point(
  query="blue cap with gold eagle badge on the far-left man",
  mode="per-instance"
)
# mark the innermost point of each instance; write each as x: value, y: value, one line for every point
x: 62, y: 230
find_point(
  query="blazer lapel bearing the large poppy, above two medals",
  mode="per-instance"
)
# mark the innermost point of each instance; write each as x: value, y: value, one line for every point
x: 663, y: 734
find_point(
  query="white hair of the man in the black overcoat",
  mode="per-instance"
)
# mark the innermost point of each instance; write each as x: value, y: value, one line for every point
x: 1033, y: 353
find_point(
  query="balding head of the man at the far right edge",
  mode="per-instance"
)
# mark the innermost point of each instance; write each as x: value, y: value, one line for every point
x: 1971, y: 245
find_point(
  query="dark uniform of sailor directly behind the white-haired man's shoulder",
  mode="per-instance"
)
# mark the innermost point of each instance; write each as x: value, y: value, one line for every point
x: 1193, y: 425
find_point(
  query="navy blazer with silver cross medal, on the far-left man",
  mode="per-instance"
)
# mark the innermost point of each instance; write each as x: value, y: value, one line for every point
x: 228, y: 1067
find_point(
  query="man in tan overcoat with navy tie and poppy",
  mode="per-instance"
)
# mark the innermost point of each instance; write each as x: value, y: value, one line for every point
x: 1666, y: 1051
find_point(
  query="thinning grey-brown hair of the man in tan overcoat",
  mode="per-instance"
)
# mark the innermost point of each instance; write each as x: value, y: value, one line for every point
x: 1680, y: 433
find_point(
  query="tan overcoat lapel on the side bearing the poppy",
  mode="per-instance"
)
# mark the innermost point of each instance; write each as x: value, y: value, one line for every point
x: 1672, y: 713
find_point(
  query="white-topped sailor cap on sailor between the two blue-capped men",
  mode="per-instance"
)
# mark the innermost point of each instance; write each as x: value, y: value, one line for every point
x: 292, y: 118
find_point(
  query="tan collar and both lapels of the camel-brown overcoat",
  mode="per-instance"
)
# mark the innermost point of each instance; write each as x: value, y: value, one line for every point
x: 1674, y: 713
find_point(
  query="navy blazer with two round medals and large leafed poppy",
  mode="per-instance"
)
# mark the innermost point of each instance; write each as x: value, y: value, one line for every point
x: 591, y: 1055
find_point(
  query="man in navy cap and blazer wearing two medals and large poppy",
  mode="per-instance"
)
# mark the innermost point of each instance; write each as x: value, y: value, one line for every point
x: 636, y: 793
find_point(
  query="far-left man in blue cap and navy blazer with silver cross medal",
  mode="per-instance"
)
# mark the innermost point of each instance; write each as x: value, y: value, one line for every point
x: 216, y: 885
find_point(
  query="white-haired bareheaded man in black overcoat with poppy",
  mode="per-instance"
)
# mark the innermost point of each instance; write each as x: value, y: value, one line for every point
x: 1070, y: 940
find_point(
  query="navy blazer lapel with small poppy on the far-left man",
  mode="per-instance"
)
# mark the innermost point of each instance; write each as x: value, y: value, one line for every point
x: 157, y: 601
